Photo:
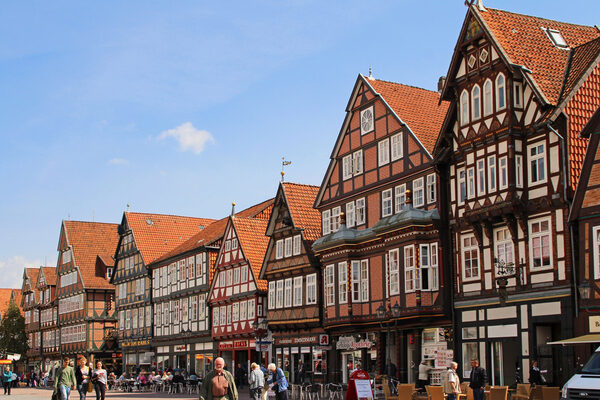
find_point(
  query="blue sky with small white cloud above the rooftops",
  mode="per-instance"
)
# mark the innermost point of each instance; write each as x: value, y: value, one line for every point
x: 185, y: 107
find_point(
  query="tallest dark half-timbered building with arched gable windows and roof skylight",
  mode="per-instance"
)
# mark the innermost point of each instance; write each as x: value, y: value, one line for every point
x: 521, y: 88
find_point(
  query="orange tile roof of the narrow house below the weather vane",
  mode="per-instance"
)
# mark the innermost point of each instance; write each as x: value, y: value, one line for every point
x: 300, y: 199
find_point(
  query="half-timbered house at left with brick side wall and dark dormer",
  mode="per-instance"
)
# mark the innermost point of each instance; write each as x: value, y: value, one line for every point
x: 86, y: 299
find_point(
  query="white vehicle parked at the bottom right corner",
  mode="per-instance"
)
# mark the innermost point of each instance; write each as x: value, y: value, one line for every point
x: 585, y: 385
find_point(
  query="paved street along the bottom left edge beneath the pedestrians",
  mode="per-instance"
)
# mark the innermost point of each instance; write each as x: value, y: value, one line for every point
x: 39, y: 394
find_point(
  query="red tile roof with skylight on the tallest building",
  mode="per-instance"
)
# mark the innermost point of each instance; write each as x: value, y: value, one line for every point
x: 526, y: 44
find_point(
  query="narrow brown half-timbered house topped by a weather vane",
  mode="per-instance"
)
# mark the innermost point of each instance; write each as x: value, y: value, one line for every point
x: 293, y: 275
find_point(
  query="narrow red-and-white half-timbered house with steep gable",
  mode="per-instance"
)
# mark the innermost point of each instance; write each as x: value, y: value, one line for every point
x: 237, y: 297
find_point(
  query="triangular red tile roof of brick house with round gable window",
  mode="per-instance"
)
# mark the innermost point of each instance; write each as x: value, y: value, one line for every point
x: 418, y: 108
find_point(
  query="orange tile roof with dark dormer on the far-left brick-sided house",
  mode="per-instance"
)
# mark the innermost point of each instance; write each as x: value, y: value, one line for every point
x: 88, y: 241
